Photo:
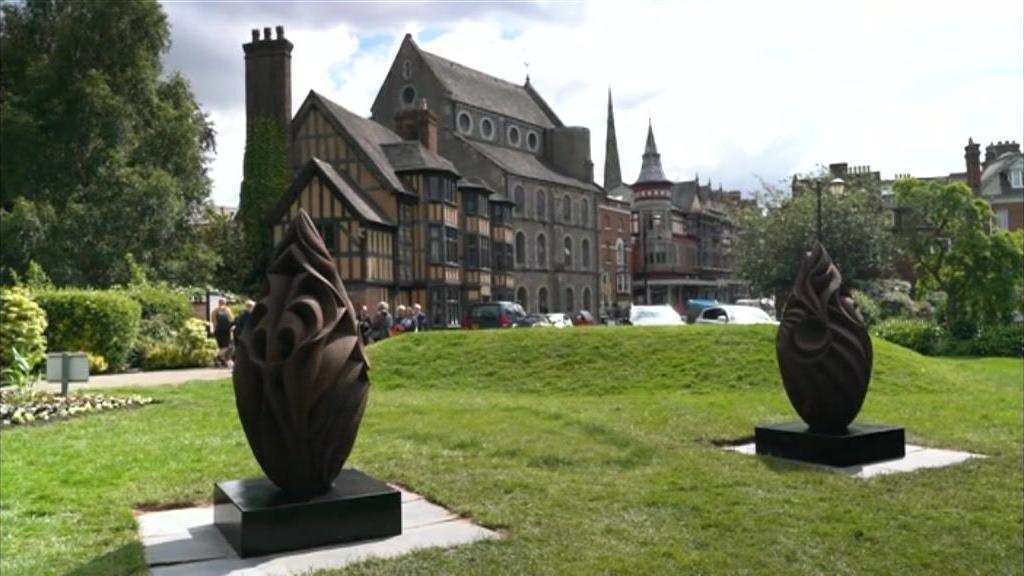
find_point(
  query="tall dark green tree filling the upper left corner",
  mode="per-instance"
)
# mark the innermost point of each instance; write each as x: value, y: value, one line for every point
x: 103, y: 157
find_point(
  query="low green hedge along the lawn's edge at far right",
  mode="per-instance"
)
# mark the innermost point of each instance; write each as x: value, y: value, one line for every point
x: 932, y: 340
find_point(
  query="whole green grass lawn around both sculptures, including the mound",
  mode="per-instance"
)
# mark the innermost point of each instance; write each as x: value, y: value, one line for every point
x: 591, y: 448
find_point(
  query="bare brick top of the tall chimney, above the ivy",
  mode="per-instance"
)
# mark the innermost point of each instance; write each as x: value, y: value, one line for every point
x: 269, y: 80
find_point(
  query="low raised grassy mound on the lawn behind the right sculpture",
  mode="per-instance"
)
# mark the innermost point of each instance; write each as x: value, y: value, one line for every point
x: 611, y: 361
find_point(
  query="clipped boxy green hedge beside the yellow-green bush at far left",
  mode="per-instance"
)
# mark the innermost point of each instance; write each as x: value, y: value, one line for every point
x: 104, y: 323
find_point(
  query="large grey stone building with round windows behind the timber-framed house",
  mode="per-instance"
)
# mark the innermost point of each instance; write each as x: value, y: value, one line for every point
x: 508, y: 138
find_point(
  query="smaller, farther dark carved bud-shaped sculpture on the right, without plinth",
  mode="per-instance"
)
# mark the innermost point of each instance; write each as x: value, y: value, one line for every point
x: 825, y: 352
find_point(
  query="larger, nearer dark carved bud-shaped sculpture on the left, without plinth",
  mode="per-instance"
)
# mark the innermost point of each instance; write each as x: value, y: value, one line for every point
x: 301, y: 372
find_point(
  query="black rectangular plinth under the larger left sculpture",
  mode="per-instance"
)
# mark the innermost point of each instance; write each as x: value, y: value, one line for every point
x: 257, y: 519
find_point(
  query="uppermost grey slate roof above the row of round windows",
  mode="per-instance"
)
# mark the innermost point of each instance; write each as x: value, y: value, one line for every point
x: 487, y: 93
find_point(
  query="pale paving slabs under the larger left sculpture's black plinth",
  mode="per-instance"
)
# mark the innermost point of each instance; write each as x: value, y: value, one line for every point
x: 186, y: 543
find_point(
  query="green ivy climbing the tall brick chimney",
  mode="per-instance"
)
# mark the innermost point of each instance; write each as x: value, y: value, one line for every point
x: 267, y: 178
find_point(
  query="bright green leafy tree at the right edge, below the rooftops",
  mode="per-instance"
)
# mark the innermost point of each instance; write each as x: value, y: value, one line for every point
x: 944, y: 234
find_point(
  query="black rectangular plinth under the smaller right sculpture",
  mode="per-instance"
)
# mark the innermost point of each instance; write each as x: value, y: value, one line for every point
x: 862, y: 444
